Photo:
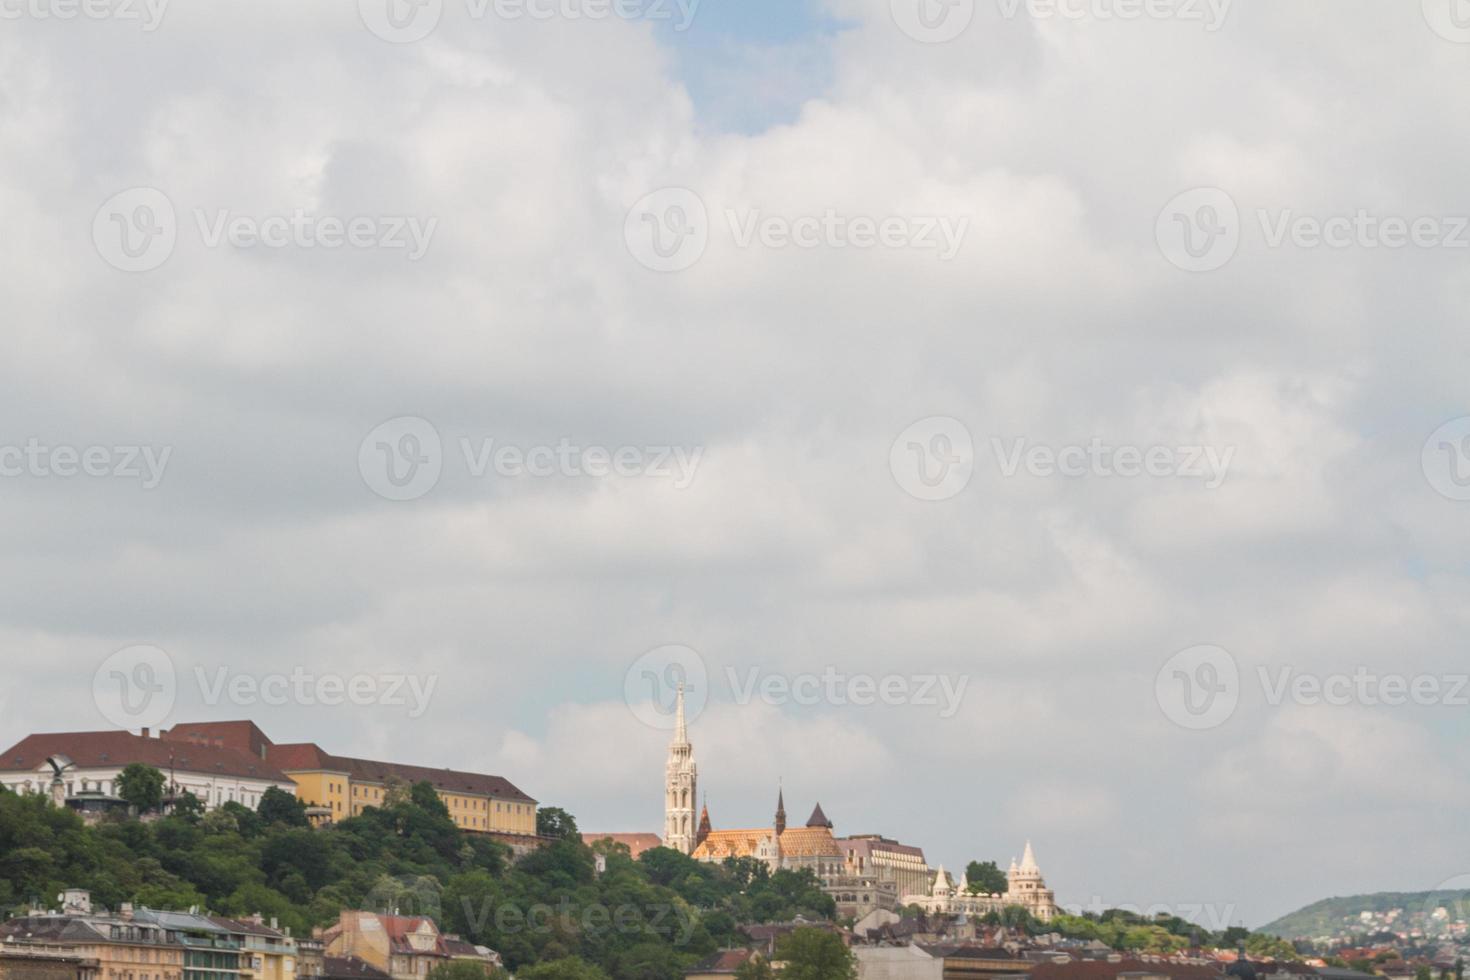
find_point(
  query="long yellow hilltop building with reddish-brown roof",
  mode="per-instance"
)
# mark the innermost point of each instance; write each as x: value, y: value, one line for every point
x: 337, y: 787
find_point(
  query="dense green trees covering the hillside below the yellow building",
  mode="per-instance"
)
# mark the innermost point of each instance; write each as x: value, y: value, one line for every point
x: 551, y: 915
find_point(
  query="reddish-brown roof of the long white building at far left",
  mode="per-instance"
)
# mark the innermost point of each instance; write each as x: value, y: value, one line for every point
x: 95, y: 750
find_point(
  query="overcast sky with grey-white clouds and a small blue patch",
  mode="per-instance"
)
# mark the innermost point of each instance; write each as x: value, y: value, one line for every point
x: 1087, y: 380
